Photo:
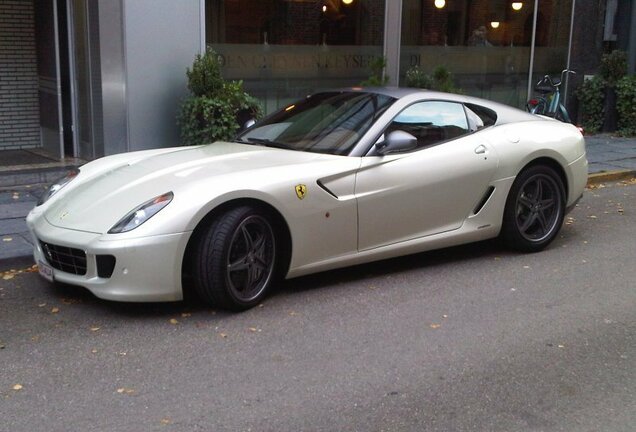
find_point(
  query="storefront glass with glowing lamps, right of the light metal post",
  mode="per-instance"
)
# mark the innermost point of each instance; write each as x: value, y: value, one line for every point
x: 486, y: 44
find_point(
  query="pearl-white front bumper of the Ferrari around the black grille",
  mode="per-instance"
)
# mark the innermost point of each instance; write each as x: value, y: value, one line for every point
x: 146, y: 268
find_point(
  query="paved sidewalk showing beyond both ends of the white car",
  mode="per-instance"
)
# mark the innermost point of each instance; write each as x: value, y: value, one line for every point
x: 24, y: 176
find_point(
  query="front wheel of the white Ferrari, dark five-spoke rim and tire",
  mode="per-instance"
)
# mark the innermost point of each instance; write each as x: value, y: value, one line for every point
x: 235, y: 259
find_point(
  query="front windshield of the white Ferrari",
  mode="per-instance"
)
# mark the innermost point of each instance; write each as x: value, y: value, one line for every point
x: 330, y: 122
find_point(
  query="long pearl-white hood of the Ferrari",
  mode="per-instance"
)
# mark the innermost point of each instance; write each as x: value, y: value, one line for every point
x: 96, y: 202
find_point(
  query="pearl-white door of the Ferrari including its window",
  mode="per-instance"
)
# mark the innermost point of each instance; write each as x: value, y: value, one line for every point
x: 429, y: 190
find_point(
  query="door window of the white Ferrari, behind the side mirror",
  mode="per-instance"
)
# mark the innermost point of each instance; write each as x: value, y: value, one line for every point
x: 431, y: 122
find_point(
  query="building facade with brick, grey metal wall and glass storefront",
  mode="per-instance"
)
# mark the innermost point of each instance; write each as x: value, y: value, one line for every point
x: 87, y: 78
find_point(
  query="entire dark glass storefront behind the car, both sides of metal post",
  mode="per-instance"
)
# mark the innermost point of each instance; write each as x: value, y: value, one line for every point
x: 285, y: 49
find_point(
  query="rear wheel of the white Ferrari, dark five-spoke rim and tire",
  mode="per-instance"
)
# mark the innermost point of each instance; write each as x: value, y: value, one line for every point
x: 534, y: 210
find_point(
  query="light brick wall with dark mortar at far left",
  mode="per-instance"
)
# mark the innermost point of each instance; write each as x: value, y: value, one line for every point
x: 19, y: 109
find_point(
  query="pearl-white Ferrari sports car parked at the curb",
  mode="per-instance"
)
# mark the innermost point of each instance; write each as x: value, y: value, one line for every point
x: 339, y: 178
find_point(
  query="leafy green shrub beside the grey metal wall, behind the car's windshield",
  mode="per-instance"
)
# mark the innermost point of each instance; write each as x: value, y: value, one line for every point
x: 210, y: 113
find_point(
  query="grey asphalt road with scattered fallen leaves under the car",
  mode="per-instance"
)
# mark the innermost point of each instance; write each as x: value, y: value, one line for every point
x: 465, y: 339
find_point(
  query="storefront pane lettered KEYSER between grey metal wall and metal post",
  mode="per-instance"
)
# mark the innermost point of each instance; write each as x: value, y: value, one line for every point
x: 285, y: 49
